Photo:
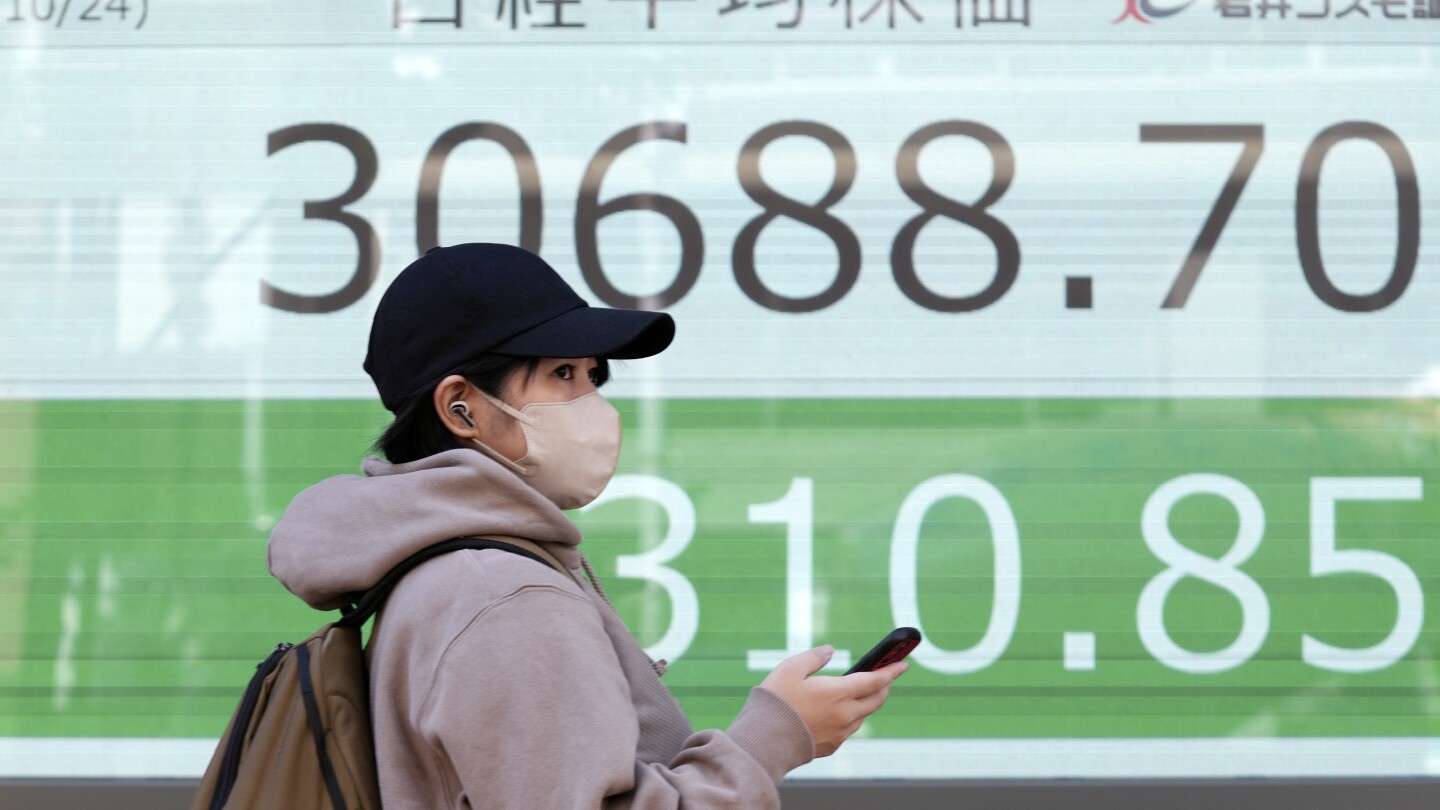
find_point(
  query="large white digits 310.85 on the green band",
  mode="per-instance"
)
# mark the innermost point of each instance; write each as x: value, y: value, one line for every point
x: 797, y: 512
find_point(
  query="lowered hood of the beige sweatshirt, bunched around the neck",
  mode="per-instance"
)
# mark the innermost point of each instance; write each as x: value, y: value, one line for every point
x: 345, y: 534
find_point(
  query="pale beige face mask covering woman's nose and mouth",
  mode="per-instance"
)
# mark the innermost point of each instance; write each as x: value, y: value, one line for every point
x: 572, y: 448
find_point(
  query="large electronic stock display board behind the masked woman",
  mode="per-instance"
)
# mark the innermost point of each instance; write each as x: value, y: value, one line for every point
x: 1097, y: 339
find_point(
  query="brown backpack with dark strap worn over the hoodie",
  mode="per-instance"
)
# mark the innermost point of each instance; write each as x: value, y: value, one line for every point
x: 302, y: 736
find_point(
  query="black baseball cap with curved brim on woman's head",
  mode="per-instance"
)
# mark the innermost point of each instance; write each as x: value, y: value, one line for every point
x: 462, y: 302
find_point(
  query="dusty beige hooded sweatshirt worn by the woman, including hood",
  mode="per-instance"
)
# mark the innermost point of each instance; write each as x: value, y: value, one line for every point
x: 496, y: 681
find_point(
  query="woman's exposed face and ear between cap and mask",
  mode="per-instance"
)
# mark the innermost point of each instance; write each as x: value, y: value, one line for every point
x: 557, y: 380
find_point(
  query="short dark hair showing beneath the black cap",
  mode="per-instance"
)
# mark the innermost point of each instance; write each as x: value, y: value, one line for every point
x: 418, y: 433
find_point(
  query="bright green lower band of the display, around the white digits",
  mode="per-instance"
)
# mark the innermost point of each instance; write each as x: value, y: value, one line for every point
x: 136, y: 597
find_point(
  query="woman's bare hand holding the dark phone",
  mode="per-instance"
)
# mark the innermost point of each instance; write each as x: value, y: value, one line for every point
x: 832, y: 707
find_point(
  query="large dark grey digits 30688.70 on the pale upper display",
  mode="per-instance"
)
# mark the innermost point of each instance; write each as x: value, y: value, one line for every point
x: 590, y: 211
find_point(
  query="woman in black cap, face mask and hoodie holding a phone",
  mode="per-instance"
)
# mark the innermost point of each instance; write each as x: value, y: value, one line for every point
x: 499, y: 682
